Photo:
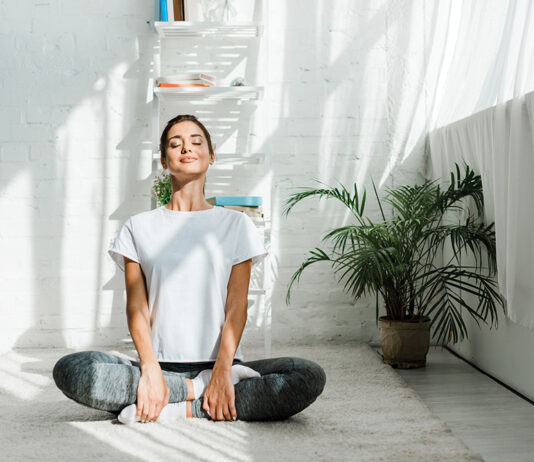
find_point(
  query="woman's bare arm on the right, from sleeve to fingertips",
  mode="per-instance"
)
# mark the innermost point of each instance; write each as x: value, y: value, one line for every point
x: 219, y: 397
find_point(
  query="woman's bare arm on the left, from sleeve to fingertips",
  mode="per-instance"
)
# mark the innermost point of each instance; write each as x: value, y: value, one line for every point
x: 152, y: 390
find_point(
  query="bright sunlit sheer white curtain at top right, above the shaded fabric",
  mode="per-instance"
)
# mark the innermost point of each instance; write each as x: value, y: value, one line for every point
x: 478, y: 54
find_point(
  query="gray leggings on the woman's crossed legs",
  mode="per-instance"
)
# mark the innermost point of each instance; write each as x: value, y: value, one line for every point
x: 102, y: 381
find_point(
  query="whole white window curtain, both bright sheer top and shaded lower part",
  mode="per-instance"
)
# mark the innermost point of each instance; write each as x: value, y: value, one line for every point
x: 480, y: 80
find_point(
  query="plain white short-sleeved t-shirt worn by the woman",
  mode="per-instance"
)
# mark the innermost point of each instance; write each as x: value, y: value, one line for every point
x: 187, y: 258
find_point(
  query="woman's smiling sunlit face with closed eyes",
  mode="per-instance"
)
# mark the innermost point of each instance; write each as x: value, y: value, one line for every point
x: 187, y: 150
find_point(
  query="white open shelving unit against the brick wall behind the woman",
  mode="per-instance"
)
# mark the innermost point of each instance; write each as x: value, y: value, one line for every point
x: 176, y: 31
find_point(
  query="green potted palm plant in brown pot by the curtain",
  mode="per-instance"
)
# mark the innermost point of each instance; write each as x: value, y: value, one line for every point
x: 395, y: 259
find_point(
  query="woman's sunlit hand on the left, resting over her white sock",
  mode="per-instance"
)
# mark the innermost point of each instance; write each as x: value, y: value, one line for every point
x: 152, y: 392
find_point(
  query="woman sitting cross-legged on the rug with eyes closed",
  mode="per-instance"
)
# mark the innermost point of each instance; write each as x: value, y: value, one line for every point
x: 187, y: 271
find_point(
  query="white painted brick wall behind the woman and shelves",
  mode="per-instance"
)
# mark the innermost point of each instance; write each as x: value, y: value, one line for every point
x: 341, y: 84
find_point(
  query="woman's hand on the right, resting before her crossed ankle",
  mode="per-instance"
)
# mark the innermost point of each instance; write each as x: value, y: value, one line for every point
x: 219, y: 396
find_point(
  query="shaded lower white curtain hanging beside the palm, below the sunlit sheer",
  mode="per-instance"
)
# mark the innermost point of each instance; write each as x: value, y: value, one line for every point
x: 499, y: 144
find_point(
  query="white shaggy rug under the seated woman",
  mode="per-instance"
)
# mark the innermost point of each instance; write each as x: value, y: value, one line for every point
x: 365, y: 413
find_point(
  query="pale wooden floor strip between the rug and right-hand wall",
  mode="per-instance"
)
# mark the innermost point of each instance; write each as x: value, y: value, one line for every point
x: 488, y: 417
